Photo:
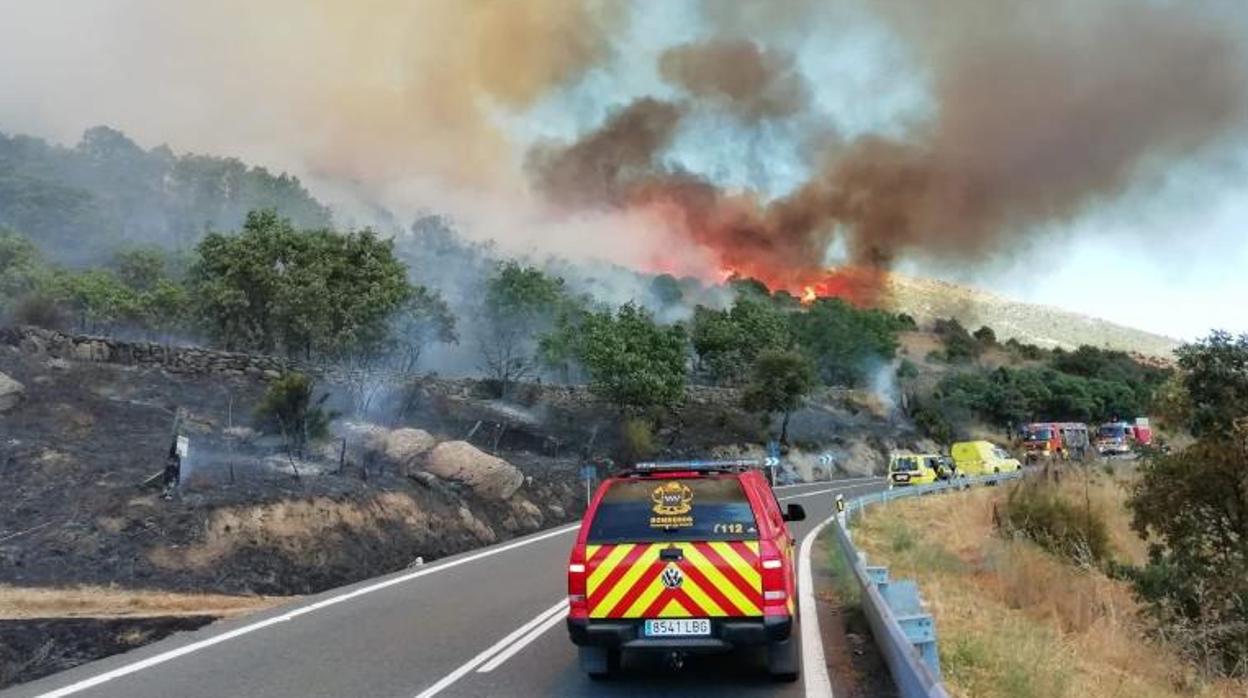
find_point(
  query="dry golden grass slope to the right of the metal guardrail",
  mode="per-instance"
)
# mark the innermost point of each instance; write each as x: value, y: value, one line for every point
x: 1015, y: 621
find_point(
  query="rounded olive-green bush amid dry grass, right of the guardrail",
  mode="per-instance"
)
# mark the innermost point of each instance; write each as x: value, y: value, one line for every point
x: 1040, y: 514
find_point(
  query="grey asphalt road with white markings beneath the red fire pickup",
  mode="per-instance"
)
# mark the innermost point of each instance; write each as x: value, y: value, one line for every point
x: 482, y: 624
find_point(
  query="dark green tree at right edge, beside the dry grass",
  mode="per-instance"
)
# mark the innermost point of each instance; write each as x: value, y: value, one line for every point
x: 1194, y: 505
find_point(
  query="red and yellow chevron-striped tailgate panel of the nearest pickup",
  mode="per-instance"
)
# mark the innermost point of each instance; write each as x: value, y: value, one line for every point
x: 719, y: 579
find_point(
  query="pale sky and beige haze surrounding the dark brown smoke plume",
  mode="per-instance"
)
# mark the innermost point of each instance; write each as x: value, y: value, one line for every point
x: 384, y: 98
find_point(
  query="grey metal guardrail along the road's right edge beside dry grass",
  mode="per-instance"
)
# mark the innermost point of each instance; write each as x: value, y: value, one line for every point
x: 903, y: 629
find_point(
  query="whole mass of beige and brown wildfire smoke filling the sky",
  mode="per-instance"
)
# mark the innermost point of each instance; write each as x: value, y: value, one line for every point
x: 1036, y: 112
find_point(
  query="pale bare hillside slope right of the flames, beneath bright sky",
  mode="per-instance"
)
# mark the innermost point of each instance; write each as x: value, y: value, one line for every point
x: 1046, y: 327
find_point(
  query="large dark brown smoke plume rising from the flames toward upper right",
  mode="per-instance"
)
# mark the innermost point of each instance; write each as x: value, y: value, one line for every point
x: 1040, y: 113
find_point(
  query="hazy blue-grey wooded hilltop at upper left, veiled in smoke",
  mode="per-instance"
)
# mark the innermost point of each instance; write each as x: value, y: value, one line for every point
x: 79, y: 203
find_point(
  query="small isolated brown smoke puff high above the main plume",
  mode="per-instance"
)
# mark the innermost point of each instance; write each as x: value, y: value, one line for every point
x: 738, y: 74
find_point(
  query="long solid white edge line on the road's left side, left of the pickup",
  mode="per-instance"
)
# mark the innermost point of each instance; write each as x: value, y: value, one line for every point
x: 324, y: 604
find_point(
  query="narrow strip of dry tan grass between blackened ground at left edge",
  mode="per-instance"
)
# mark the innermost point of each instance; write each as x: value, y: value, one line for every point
x: 103, y: 602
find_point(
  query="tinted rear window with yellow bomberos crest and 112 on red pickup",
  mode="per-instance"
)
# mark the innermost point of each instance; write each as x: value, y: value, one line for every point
x: 673, y: 510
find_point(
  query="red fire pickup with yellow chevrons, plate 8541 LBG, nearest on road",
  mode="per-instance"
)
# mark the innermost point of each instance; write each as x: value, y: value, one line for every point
x: 681, y: 559
